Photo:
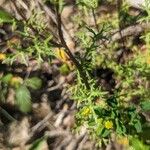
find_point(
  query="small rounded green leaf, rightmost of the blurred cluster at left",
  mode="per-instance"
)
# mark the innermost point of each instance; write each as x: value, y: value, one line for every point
x: 34, y: 83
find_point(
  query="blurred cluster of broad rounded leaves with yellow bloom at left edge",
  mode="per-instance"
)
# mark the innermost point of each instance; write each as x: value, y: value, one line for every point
x: 22, y: 93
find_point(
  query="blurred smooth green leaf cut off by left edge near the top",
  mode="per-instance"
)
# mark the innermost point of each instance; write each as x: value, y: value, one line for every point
x: 5, y: 17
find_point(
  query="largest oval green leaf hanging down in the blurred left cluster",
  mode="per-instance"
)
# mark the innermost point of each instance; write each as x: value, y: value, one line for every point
x: 23, y: 99
